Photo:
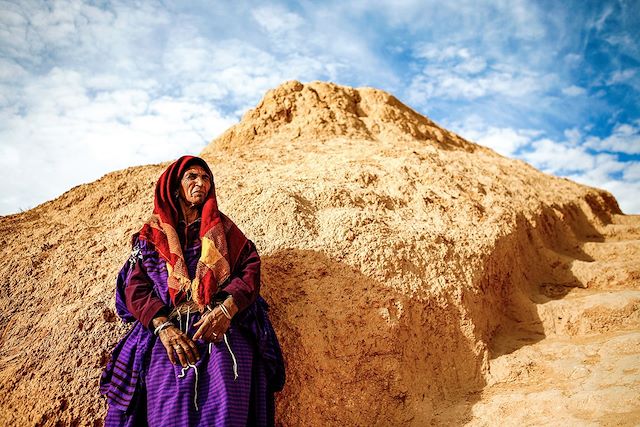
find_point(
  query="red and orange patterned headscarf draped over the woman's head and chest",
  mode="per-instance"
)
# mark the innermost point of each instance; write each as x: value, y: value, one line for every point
x: 216, y: 230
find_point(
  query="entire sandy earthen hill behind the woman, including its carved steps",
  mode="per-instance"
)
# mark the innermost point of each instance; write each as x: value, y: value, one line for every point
x: 415, y: 278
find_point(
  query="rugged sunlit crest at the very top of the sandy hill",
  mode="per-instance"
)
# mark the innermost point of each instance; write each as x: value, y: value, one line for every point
x: 321, y: 111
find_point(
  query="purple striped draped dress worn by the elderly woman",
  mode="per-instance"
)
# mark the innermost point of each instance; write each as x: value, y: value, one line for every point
x: 142, y: 387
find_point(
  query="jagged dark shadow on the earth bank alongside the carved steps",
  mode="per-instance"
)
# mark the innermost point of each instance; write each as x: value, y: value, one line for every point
x: 528, y: 267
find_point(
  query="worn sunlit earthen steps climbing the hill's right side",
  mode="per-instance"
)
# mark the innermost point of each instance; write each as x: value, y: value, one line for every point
x: 585, y: 368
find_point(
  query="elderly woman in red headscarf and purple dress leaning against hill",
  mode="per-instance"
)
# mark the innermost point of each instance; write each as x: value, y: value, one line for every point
x: 202, y: 351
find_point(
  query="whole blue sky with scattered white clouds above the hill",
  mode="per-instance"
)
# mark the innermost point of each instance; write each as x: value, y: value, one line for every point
x: 90, y: 87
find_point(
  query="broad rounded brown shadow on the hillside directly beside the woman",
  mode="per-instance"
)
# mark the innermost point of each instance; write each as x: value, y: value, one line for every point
x: 358, y: 352
